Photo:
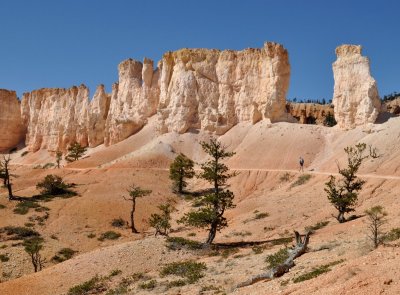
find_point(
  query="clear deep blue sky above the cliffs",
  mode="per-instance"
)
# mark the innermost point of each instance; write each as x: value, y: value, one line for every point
x: 60, y: 43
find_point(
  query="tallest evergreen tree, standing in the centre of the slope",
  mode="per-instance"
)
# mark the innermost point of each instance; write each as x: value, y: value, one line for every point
x: 212, y: 206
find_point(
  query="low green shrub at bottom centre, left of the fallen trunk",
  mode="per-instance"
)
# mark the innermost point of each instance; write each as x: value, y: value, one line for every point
x: 190, y: 270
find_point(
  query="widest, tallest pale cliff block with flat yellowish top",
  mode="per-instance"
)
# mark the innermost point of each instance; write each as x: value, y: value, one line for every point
x: 213, y: 90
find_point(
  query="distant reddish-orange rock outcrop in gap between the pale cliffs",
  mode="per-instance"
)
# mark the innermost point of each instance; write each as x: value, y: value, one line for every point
x: 310, y: 113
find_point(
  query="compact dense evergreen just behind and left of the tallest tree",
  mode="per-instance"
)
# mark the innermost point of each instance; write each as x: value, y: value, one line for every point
x: 181, y: 168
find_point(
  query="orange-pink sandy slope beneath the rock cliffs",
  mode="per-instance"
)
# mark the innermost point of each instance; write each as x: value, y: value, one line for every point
x: 264, y: 154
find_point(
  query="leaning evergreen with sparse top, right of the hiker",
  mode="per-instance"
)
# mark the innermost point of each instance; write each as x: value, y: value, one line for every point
x: 343, y: 194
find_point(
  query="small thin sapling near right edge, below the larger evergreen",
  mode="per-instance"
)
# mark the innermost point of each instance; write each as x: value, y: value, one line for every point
x: 376, y: 219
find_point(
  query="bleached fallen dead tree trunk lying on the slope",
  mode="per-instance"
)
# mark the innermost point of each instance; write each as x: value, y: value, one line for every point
x: 298, y: 250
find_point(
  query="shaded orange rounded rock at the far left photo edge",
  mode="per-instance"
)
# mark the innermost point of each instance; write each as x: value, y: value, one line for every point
x: 11, y: 129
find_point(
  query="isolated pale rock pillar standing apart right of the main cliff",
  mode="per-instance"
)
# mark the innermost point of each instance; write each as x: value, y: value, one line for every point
x: 356, y: 99
